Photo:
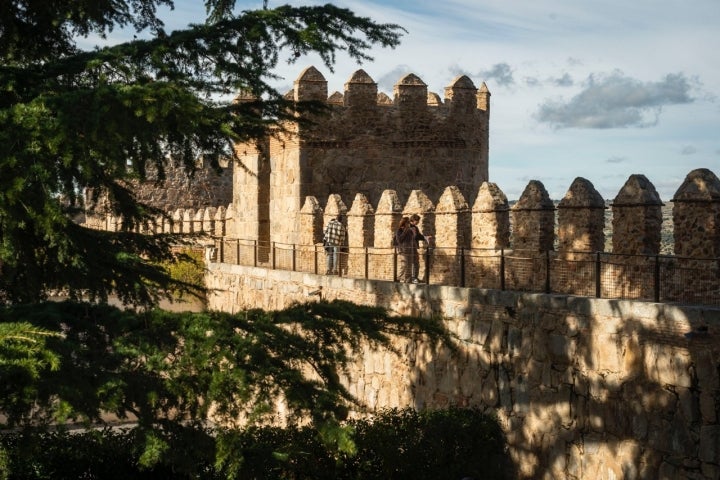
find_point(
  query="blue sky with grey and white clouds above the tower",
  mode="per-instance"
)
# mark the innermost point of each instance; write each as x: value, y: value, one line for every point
x: 599, y: 89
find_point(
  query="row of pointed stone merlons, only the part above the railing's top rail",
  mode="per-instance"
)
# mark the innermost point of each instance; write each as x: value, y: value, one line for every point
x: 578, y: 223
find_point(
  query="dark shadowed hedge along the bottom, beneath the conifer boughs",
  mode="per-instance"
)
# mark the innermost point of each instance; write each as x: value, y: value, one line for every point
x: 395, y: 444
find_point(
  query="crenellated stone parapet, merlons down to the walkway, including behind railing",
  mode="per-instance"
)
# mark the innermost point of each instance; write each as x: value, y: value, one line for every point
x: 616, y: 253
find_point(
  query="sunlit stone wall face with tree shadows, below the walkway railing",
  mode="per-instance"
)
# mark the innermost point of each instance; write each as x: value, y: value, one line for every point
x: 584, y: 388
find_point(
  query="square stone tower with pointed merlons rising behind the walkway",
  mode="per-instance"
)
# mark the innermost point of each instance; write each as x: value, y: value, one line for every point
x: 367, y: 143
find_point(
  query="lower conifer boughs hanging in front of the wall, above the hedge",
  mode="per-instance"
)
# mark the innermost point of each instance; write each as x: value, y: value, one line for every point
x: 166, y: 370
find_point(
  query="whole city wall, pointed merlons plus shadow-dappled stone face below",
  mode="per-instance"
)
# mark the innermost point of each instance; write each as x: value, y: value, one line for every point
x: 584, y: 387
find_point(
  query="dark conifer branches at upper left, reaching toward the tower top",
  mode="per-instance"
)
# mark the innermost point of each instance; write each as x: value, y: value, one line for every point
x: 76, y: 126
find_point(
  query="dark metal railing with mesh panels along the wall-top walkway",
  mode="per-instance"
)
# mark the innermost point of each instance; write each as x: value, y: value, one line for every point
x: 657, y: 278
